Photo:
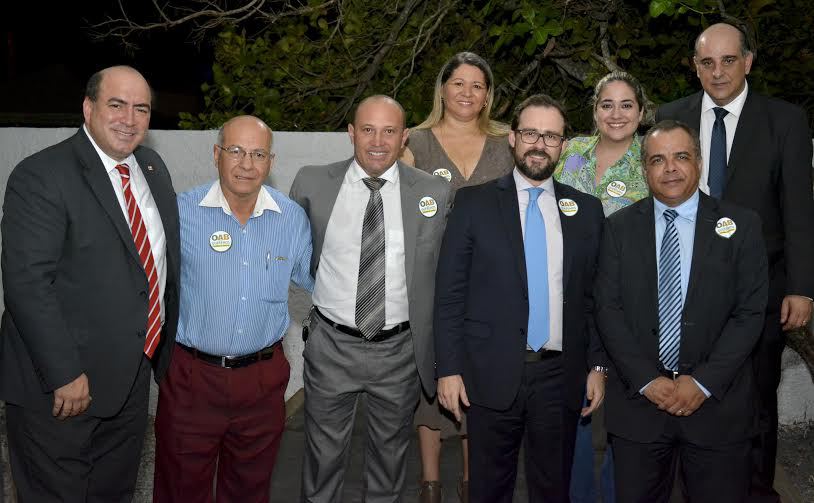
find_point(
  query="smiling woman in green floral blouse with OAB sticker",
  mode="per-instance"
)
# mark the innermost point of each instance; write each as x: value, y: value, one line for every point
x: 607, y: 165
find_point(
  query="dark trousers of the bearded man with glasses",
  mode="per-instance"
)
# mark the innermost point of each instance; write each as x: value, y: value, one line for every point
x: 538, y: 419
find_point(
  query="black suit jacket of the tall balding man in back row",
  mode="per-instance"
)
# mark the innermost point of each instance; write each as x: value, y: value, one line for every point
x: 769, y: 171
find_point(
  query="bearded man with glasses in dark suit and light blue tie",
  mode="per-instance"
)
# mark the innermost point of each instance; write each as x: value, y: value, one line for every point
x: 514, y: 331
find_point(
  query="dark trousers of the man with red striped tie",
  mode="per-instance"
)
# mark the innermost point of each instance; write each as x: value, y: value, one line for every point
x: 82, y: 458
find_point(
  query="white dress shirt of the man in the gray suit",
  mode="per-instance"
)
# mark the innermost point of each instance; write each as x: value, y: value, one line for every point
x: 338, y: 272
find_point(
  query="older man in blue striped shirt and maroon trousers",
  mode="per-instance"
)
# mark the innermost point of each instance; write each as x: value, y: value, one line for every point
x: 222, y: 404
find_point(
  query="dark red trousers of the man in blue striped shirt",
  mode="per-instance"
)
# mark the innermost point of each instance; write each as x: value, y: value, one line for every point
x: 210, y: 416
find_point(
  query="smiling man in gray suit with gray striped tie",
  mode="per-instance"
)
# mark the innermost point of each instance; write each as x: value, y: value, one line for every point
x: 376, y: 227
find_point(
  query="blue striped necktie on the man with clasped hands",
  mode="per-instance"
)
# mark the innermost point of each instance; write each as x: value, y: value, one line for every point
x: 670, y: 301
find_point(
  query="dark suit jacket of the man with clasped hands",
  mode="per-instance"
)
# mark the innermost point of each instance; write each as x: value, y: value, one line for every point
x: 721, y: 322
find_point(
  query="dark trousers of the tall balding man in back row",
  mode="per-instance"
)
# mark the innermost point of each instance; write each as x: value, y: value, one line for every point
x: 766, y: 361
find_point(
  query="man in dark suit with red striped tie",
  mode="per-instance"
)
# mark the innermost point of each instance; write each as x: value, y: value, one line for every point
x: 90, y: 264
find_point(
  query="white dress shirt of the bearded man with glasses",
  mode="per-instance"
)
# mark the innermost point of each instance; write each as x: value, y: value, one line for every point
x: 547, y: 203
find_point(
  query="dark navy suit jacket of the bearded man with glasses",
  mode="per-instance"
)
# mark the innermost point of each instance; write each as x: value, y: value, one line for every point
x: 481, y: 302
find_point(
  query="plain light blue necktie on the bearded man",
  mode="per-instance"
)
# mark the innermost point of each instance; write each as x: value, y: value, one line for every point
x: 536, y: 272
